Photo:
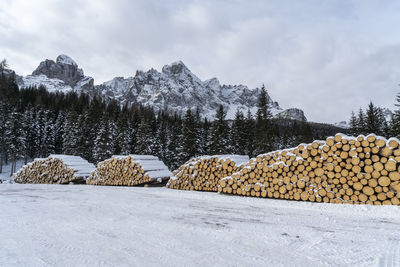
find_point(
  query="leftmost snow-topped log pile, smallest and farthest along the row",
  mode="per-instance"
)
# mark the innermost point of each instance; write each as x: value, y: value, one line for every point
x: 56, y: 169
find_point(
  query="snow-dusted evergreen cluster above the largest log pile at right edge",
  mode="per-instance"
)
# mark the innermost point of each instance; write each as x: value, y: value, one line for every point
x: 372, y: 120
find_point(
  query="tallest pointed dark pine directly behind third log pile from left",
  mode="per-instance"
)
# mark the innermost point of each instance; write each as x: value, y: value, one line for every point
x: 220, y: 143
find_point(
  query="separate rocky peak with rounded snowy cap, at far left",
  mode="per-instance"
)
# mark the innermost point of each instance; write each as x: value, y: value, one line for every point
x: 64, y: 69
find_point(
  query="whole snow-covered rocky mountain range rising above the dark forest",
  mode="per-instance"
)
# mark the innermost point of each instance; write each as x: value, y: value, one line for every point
x: 175, y: 88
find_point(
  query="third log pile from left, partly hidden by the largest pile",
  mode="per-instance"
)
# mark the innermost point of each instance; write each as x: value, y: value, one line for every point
x: 203, y: 173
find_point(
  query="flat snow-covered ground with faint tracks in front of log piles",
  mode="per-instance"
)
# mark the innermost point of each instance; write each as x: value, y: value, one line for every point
x: 71, y: 225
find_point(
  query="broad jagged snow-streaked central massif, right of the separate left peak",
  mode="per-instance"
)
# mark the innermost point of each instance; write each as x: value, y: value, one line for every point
x: 176, y: 89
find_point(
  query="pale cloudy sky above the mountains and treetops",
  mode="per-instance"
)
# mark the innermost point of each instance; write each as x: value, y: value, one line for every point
x: 327, y: 57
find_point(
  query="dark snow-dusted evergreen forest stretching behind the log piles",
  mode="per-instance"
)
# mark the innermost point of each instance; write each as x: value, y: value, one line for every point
x: 35, y: 123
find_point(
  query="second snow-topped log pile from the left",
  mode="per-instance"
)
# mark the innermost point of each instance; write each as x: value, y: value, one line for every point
x: 129, y: 171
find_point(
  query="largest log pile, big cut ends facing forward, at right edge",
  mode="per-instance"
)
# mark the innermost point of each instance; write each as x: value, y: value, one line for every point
x: 341, y: 169
